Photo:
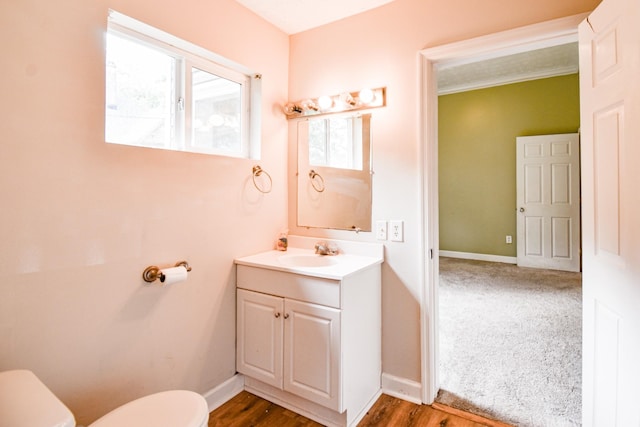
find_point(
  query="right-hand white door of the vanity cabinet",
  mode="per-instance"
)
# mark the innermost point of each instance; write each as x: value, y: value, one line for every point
x: 312, y: 352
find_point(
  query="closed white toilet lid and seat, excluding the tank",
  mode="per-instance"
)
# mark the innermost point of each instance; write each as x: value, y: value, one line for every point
x: 175, y: 408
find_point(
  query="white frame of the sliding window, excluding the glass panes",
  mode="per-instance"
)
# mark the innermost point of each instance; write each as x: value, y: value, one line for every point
x: 188, y: 56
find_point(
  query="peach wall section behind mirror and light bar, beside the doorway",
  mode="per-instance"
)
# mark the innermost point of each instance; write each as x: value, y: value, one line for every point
x: 380, y: 48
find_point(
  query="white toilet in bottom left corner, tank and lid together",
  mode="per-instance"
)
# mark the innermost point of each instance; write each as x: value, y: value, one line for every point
x: 26, y: 402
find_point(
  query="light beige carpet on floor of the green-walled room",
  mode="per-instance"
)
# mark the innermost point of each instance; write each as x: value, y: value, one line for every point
x: 510, y: 342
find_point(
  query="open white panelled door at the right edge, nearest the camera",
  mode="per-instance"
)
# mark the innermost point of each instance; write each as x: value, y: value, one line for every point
x: 610, y: 119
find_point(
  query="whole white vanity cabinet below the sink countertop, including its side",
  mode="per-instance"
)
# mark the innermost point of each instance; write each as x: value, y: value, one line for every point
x: 311, y: 344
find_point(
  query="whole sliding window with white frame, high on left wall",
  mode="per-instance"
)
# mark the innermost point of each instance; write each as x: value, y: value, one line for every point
x: 164, y: 92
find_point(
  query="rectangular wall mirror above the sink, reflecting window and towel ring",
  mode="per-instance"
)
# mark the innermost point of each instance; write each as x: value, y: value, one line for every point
x: 334, y: 172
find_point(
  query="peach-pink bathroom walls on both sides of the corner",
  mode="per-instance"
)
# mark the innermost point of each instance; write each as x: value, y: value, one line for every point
x: 81, y: 219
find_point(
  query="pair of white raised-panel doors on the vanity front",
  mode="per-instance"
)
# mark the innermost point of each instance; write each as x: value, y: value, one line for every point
x: 291, y: 345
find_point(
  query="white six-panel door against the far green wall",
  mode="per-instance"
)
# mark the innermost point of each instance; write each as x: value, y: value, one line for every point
x: 548, y: 201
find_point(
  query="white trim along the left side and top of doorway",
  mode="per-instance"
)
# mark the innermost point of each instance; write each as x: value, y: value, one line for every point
x: 545, y: 34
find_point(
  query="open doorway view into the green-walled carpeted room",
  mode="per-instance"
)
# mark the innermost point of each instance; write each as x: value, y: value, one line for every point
x: 499, y: 344
